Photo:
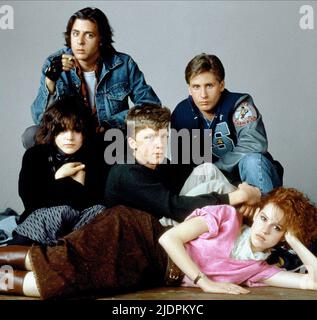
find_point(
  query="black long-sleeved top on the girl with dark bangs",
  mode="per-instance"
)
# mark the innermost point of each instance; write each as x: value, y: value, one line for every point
x: 38, y: 187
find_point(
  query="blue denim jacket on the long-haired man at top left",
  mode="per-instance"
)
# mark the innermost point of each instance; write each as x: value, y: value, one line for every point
x: 120, y: 78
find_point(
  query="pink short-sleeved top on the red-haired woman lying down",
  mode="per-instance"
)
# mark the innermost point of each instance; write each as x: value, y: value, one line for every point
x: 211, y: 251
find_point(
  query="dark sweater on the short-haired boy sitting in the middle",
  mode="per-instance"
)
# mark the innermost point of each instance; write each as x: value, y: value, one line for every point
x: 154, y: 191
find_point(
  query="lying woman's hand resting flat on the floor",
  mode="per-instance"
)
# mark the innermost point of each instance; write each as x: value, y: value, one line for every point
x: 221, y: 287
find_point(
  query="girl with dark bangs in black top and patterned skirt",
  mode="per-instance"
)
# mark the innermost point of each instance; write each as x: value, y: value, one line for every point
x: 62, y: 176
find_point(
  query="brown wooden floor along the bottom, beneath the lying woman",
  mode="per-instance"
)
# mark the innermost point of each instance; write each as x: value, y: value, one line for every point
x: 264, y: 293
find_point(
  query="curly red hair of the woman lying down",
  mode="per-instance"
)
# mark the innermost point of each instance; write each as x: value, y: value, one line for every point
x: 300, y: 214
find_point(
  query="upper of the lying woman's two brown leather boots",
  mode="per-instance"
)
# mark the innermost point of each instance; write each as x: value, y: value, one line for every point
x: 14, y: 256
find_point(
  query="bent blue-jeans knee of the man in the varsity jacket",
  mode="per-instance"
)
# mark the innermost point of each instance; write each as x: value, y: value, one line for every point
x: 260, y: 172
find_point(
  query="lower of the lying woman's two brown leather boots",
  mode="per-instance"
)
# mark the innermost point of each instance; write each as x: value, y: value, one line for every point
x: 11, y: 281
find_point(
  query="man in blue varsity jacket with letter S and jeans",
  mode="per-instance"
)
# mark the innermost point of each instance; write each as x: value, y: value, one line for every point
x: 233, y: 126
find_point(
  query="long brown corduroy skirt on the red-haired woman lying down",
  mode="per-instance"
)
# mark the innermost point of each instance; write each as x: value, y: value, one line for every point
x: 118, y: 251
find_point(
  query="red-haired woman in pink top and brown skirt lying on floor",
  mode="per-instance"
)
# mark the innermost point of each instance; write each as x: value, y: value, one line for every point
x: 124, y: 249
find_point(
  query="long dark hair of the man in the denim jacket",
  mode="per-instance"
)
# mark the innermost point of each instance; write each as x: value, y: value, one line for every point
x: 96, y: 16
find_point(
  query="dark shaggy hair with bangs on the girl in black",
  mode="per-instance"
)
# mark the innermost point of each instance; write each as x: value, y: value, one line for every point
x: 68, y: 113
